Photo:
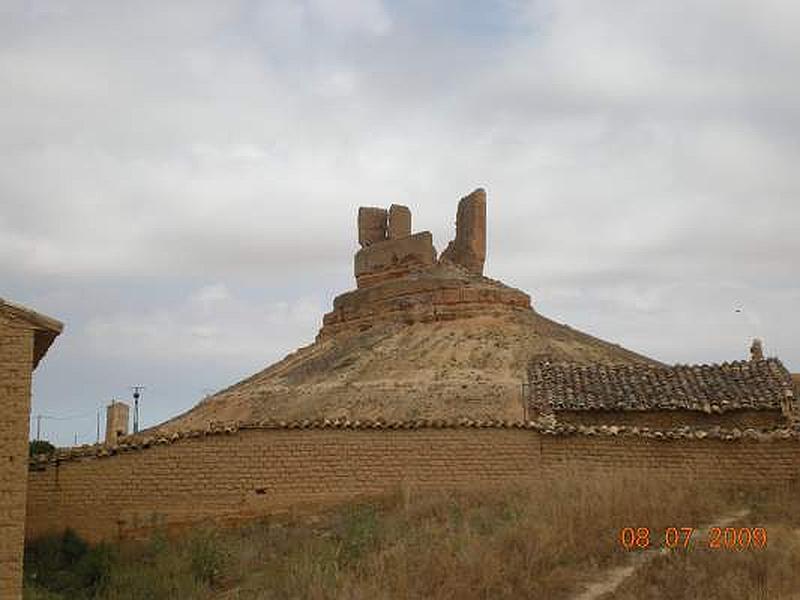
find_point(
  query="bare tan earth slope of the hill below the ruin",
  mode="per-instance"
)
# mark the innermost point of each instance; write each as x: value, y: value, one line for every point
x: 469, y: 368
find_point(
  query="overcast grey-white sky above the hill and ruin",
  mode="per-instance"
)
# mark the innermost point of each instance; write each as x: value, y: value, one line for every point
x: 179, y: 180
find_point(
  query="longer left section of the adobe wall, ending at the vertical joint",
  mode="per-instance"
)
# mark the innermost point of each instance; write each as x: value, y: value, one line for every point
x: 255, y: 472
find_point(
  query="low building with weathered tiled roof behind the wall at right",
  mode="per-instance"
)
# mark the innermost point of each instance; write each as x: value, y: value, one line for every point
x: 754, y: 393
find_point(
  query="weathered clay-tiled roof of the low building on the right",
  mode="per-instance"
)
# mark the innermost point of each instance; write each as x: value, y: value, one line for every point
x: 756, y: 385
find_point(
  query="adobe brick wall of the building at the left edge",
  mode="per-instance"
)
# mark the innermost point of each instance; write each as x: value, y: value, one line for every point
x: 16, y: 363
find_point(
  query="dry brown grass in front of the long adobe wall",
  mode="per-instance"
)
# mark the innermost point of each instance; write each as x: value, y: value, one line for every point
x: 526, y: 542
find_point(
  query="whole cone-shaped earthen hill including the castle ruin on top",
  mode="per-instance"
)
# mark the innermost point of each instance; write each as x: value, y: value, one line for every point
x: 420, y: 337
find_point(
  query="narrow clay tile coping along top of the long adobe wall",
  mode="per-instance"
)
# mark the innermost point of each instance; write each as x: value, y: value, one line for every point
x: 134, y: 443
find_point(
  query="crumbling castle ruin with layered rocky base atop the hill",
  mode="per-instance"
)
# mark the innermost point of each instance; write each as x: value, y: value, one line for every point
x: 400, y: 279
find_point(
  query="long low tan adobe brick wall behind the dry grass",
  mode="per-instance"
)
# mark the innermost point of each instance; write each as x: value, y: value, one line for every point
x: 229, y: 477
